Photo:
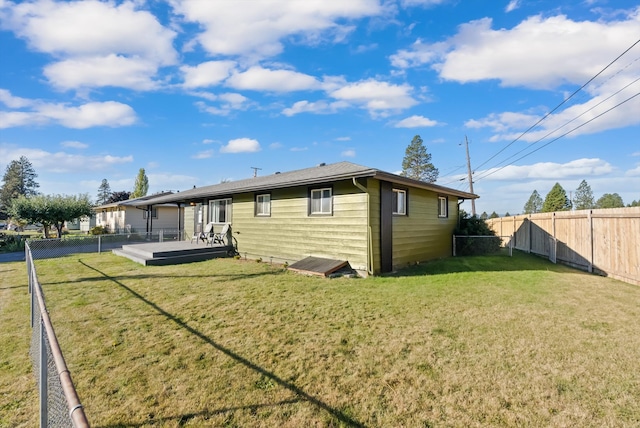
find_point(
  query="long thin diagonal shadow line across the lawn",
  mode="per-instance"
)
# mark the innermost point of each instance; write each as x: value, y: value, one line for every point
x: 345, y: 419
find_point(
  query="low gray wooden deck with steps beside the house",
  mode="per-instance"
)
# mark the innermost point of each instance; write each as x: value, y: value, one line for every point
x: 171, y: 253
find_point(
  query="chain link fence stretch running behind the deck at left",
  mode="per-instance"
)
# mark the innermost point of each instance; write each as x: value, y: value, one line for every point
x: 72, y: 244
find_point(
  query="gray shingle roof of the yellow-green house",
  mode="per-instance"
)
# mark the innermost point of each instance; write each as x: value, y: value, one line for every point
x: 303, y: 177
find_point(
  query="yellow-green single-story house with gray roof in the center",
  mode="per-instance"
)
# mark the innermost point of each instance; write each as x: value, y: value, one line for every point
x: 377, y: 221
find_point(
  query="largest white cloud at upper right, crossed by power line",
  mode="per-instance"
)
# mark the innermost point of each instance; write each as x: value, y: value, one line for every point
x: 540, y: 52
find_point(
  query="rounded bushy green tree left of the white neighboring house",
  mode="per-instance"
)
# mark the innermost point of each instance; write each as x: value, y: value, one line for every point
x: 51, y: 210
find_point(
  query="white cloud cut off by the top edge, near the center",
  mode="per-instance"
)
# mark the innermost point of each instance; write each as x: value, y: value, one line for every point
x: 256, y: 31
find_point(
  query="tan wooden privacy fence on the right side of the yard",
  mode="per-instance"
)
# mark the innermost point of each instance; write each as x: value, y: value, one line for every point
x: 603, y: 241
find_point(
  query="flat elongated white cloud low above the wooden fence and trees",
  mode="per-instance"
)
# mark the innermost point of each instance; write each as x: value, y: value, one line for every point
x: 548, y: 170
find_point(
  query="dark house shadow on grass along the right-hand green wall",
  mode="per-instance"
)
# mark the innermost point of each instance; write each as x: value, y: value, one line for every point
x: 490, y: 263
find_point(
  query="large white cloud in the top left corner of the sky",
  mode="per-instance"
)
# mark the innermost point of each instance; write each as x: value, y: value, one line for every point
x: 117, y: 45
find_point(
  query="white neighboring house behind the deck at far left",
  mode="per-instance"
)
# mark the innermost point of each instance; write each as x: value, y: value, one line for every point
x: 137, y: 215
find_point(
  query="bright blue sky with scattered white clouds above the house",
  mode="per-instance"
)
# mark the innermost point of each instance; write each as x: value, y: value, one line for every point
x: 200, y: 91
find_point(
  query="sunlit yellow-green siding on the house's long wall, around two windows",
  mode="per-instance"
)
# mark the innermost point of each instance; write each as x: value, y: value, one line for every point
x: 291, y: 234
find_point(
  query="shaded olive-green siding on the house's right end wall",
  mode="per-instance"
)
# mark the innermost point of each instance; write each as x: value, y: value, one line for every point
x: 422, y: 235
